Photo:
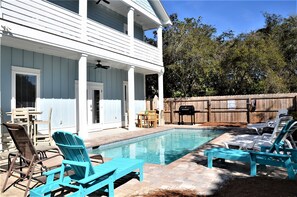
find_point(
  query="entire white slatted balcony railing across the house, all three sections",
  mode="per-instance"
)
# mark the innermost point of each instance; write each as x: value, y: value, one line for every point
x: 50, y: 18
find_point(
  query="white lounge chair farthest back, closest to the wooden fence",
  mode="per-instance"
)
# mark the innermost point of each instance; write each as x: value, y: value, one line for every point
x: 258, y: 127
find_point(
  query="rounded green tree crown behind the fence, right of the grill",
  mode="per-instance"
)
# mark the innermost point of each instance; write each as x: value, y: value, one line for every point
x: 252, y: 65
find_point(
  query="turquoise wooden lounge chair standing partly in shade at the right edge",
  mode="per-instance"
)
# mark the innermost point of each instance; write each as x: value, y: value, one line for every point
x: 268, y: 155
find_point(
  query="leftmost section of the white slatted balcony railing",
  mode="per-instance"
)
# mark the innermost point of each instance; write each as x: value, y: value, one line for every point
x: 42, y: 16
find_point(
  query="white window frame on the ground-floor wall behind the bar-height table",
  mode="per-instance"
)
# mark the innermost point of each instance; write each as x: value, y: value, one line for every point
x: 25, y: 71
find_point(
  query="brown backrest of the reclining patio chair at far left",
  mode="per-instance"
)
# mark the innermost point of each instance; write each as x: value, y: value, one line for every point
x: 22, y: 141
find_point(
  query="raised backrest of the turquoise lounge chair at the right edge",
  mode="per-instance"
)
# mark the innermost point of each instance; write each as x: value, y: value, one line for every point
x: 288, y: 129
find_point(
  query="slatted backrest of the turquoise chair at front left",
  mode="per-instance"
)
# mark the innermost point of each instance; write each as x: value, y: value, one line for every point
x: 73, y: 149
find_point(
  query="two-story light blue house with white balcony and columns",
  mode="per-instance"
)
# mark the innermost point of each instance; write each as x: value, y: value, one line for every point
x: 85, y: 59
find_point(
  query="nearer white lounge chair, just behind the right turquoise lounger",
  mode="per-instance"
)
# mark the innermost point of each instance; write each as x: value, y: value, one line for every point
x: 256, y: 141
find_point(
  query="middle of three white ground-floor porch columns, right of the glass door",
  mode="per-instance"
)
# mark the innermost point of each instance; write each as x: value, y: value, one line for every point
x: 131, y: 97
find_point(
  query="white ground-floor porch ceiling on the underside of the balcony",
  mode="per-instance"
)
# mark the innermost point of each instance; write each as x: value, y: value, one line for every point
x: 60, y: 52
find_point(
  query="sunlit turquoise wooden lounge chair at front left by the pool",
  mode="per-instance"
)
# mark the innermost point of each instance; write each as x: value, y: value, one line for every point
x: 85, y: 178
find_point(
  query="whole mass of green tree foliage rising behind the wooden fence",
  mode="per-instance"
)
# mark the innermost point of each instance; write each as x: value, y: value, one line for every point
x: 198, y: 62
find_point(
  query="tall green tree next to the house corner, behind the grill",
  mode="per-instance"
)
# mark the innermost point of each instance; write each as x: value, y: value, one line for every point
x: 189, y: 57
